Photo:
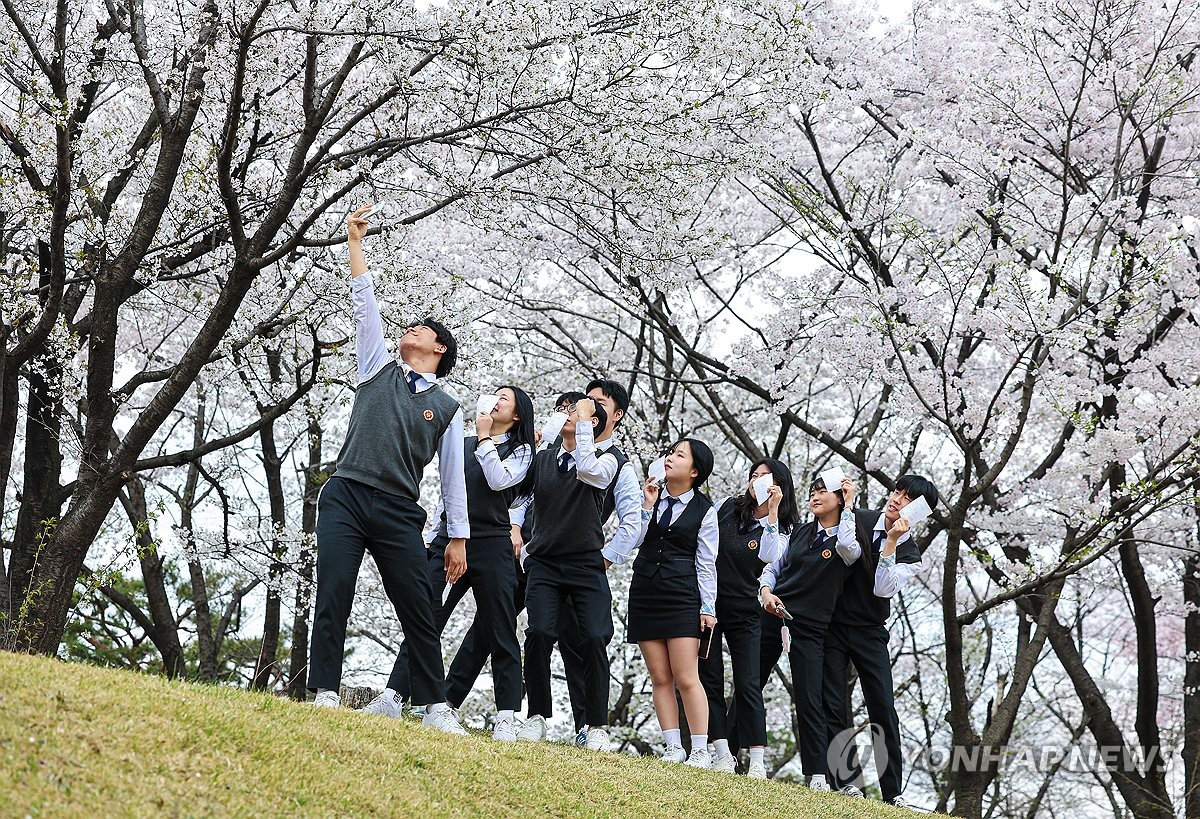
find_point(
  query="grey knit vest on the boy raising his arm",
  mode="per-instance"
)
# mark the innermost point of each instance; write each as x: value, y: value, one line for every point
x: 394, y: 434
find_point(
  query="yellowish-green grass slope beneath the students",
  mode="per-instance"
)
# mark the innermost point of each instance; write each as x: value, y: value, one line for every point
x: 79, y: 740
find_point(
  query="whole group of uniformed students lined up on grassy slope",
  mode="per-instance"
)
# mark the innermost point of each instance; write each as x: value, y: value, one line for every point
x: 521, y: 524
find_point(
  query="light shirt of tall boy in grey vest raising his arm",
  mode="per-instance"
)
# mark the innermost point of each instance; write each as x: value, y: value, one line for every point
x: 373, y: 358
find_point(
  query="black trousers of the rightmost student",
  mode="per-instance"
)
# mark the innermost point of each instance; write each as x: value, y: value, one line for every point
x: 867, y: 648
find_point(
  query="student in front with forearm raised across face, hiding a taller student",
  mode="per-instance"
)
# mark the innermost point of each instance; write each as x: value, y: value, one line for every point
x: 565, y: 569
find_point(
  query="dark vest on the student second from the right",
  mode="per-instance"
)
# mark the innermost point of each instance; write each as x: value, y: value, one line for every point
x: 812, y: 578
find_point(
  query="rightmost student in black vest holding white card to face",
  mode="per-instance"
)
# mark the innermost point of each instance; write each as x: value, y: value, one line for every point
x: 859, y: 635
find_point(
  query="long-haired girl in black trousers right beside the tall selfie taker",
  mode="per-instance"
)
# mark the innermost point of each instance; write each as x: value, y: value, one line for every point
x: 497, y: 471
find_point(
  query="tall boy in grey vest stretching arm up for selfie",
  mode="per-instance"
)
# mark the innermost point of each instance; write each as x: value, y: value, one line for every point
x: 400, y: 421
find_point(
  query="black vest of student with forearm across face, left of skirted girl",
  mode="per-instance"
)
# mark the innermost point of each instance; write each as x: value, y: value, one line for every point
x: 568, y: 511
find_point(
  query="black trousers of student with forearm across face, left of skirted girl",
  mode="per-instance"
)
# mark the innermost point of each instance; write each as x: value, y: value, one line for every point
x: 579, y: 584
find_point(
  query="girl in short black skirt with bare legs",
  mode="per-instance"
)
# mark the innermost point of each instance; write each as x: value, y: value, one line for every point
x: 673, y: 596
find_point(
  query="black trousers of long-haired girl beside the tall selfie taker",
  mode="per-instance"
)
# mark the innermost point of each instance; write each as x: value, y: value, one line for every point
x: 491, y: 576
